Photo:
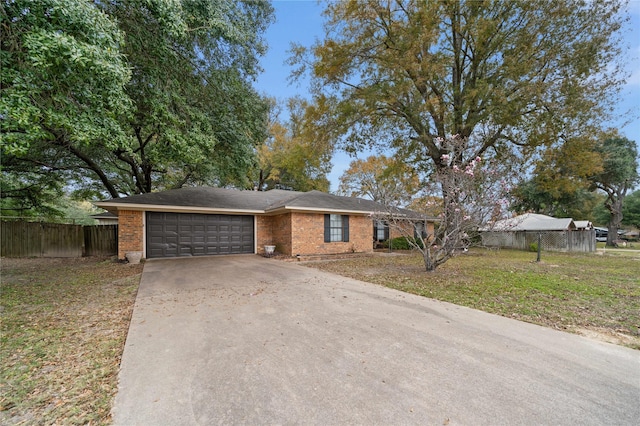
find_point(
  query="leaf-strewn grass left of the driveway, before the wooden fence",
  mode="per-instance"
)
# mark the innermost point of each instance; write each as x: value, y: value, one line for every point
x: 64, y: 323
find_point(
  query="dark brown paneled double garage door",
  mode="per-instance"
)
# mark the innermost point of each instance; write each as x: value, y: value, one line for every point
x: 187, y: 234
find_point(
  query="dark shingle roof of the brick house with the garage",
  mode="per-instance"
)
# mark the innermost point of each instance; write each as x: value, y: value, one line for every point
x: 203, y: 198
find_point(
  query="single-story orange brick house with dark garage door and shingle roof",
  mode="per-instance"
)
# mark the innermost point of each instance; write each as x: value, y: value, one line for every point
x: 209, y: 221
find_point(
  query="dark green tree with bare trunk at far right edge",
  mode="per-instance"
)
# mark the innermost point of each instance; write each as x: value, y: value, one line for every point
x: 619, y: 175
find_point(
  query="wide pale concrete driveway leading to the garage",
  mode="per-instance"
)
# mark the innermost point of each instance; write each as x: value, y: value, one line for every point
x: 247, y: 340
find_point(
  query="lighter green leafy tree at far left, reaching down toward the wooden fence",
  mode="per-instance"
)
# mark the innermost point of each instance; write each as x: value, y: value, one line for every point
x: 62, y: 82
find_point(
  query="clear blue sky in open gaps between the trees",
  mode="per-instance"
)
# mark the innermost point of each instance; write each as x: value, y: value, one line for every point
x: 300, y: 21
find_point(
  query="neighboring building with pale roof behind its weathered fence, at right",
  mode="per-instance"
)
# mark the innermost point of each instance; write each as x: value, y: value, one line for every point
x: 555, y: 234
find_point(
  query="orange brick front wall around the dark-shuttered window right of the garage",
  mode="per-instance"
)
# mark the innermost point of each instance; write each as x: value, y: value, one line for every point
x: 307, y: 235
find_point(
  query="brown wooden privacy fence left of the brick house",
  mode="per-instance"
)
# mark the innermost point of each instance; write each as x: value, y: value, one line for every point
x: 36, y: 239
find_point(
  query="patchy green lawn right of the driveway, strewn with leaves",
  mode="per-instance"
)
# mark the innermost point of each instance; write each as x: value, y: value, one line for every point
x: 587, y: 294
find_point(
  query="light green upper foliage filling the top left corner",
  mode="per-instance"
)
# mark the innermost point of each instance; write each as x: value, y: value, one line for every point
x: 62, y: 75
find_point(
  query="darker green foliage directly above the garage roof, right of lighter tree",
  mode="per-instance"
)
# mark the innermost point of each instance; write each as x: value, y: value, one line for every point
x: 196, y: 117
